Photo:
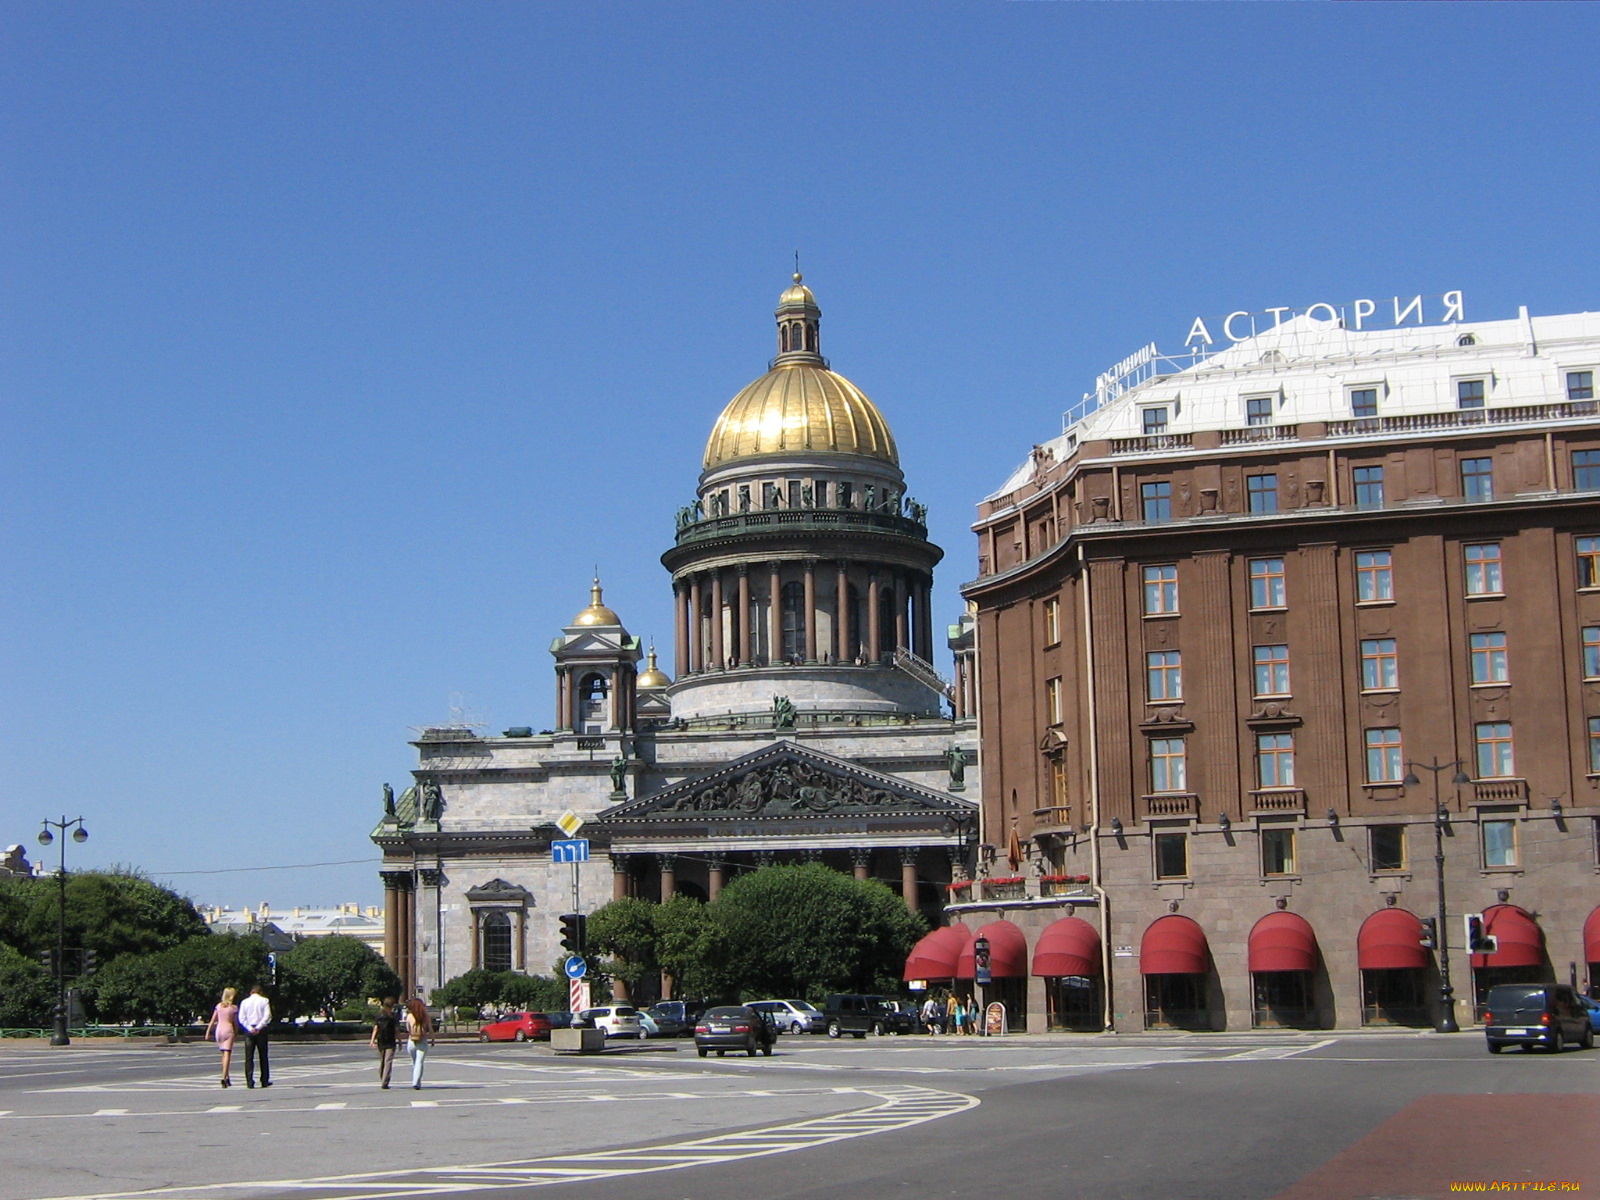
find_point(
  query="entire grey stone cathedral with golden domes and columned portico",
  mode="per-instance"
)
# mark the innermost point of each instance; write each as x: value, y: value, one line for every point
x: 806, y: 722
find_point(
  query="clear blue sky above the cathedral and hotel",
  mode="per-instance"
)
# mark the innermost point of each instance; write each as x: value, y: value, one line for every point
x: 340, y: 342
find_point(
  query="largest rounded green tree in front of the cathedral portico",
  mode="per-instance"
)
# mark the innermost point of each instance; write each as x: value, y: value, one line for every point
x: 807, y: 930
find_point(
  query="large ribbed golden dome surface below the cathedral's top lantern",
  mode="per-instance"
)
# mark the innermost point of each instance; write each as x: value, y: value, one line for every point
x: 801, y: 409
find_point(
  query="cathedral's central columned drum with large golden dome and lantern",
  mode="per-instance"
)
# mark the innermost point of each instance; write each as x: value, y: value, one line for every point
x: 802, y: 570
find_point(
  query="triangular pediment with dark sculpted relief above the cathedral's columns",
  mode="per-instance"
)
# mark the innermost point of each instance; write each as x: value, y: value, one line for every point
x: 786, y: 782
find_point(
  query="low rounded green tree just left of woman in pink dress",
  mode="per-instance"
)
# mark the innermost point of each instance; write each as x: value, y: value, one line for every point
x: 180, y: 985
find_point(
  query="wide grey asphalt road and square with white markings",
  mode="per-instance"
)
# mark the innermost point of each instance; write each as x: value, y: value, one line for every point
x: 1271, y: 1118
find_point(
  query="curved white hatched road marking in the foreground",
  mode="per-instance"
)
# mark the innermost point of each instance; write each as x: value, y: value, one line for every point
x: 900, y: 1106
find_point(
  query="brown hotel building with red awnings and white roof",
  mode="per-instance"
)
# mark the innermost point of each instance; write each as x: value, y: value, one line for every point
x: 1241, y: 625
